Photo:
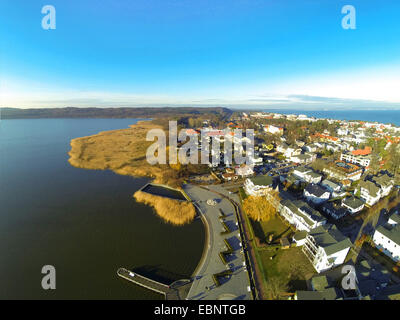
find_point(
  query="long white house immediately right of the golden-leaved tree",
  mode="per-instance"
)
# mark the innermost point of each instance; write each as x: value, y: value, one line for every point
x: 300, y: 214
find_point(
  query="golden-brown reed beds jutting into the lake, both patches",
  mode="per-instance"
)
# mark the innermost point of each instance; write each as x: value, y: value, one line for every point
x: 124, y: 152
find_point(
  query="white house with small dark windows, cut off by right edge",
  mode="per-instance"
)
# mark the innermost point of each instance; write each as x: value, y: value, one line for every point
x: 387, y: 239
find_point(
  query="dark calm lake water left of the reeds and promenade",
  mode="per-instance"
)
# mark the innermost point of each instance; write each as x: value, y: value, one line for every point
x: 84, y: 222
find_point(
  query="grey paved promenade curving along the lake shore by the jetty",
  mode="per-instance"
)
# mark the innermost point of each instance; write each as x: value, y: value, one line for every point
x: 236, y: 287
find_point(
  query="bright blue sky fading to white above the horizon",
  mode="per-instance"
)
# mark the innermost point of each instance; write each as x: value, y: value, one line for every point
x: 286, y: 53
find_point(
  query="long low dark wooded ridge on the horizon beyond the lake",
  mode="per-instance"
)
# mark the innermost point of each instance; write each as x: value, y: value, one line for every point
x: 145, y: 112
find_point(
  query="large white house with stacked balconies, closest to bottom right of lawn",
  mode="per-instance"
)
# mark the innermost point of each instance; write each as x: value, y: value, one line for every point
x: 326, y: 247
